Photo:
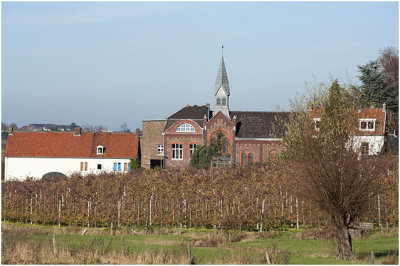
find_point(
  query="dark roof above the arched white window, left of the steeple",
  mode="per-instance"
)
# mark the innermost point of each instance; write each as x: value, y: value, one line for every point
x: 195, y: 113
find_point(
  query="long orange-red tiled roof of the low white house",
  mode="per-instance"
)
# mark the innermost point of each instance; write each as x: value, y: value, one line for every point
x: 66, y: 145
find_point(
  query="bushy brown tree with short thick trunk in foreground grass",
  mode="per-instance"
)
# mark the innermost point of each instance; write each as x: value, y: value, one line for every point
x: 328, y: 170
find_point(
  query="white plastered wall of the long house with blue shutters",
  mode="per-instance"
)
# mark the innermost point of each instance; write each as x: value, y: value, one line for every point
x: 20, y: 168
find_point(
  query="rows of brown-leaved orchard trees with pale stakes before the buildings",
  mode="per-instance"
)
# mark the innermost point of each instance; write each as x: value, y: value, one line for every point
x: 262, y: 196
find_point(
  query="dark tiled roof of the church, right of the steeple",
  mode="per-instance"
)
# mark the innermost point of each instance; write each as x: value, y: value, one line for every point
x: 258, y: 124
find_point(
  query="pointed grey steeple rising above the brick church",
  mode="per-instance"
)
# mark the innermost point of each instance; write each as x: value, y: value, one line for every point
x: 222, y: 91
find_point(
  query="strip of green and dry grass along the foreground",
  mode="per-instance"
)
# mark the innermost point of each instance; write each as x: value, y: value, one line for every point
x: 30, y: 244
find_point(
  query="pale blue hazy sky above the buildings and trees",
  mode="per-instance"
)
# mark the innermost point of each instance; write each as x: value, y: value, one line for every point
x: 105, y: 63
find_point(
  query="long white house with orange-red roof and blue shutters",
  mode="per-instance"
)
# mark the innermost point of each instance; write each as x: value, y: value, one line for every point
x: 35, y: 154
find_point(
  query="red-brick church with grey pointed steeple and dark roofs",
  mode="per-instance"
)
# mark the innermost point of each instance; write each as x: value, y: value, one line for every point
x: 246, y: 137
